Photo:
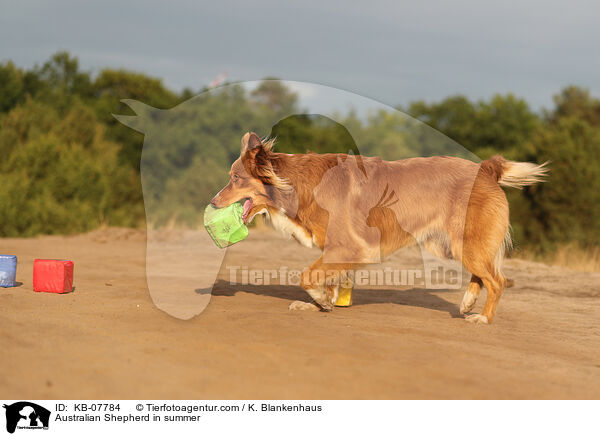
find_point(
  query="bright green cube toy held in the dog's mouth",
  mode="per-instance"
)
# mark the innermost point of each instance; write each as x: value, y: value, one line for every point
x: 225, y: 225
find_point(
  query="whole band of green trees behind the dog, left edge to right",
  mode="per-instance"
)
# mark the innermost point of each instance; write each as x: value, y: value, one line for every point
x: 69, y: 166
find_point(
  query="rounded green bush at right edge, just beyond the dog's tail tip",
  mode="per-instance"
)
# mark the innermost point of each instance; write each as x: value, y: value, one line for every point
x: 567, y: 208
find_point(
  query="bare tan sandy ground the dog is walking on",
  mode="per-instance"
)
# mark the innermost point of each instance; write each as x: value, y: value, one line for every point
x: 108, y: 340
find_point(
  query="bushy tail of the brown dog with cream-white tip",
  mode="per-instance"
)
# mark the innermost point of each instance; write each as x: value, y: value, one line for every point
x: 514, y: 174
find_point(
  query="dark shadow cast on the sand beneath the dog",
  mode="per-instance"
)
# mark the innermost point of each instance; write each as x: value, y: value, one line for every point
x: 414, y: 297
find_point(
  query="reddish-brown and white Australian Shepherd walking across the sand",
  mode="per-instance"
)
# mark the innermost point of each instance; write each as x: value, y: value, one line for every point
x: 358, y: 210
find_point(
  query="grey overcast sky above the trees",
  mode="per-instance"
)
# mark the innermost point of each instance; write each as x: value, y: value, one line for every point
x: 390, y: 51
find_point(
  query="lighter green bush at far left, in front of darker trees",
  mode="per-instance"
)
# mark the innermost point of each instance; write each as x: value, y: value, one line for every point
x: 57, y: 179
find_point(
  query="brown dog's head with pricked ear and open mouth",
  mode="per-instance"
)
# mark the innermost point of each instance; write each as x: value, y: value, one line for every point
x: 252, y: 178
